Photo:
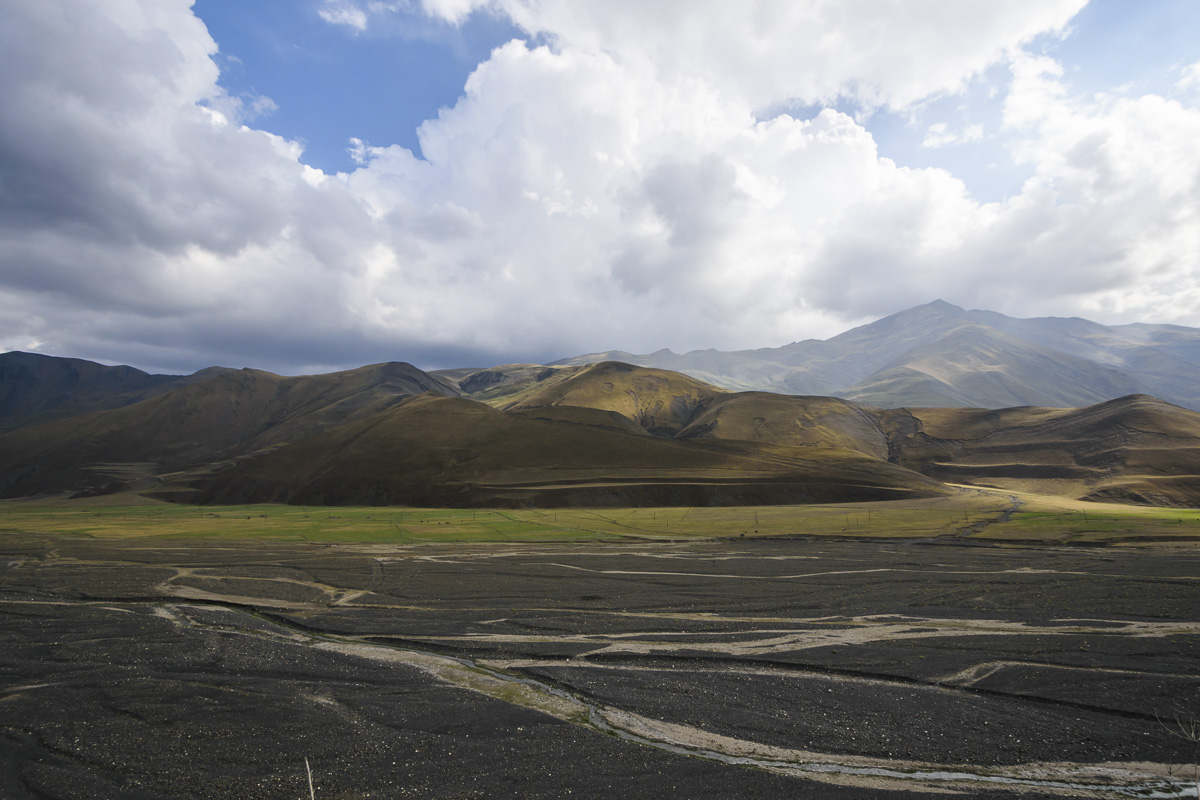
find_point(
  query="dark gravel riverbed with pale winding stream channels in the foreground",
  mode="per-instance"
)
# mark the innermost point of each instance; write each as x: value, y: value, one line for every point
x: 737, y: 669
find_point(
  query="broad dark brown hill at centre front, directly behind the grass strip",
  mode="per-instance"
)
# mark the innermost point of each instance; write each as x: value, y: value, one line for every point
x: 460, y: 453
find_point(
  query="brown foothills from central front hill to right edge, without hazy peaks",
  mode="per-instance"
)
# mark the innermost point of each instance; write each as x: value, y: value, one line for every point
x: 718, y: 449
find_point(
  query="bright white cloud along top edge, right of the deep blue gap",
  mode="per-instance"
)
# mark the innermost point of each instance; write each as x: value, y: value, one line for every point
x: 767, y: 52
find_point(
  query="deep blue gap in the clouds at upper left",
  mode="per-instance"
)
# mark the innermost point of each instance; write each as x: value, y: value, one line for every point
x: 332, y: 83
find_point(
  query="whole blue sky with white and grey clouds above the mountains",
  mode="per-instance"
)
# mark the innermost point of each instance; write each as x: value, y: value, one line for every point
x: 314, y: 185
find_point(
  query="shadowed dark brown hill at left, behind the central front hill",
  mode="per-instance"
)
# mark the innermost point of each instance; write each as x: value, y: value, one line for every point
x: 226, y: 416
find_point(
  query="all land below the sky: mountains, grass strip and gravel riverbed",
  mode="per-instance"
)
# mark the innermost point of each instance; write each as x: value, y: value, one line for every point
x: 599, y: 579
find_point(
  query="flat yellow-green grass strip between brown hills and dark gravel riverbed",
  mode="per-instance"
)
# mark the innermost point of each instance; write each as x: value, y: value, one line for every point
x: 973, y: 515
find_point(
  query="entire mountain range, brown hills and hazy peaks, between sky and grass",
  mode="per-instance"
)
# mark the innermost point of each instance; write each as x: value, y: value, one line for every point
x: 904, y: 407
